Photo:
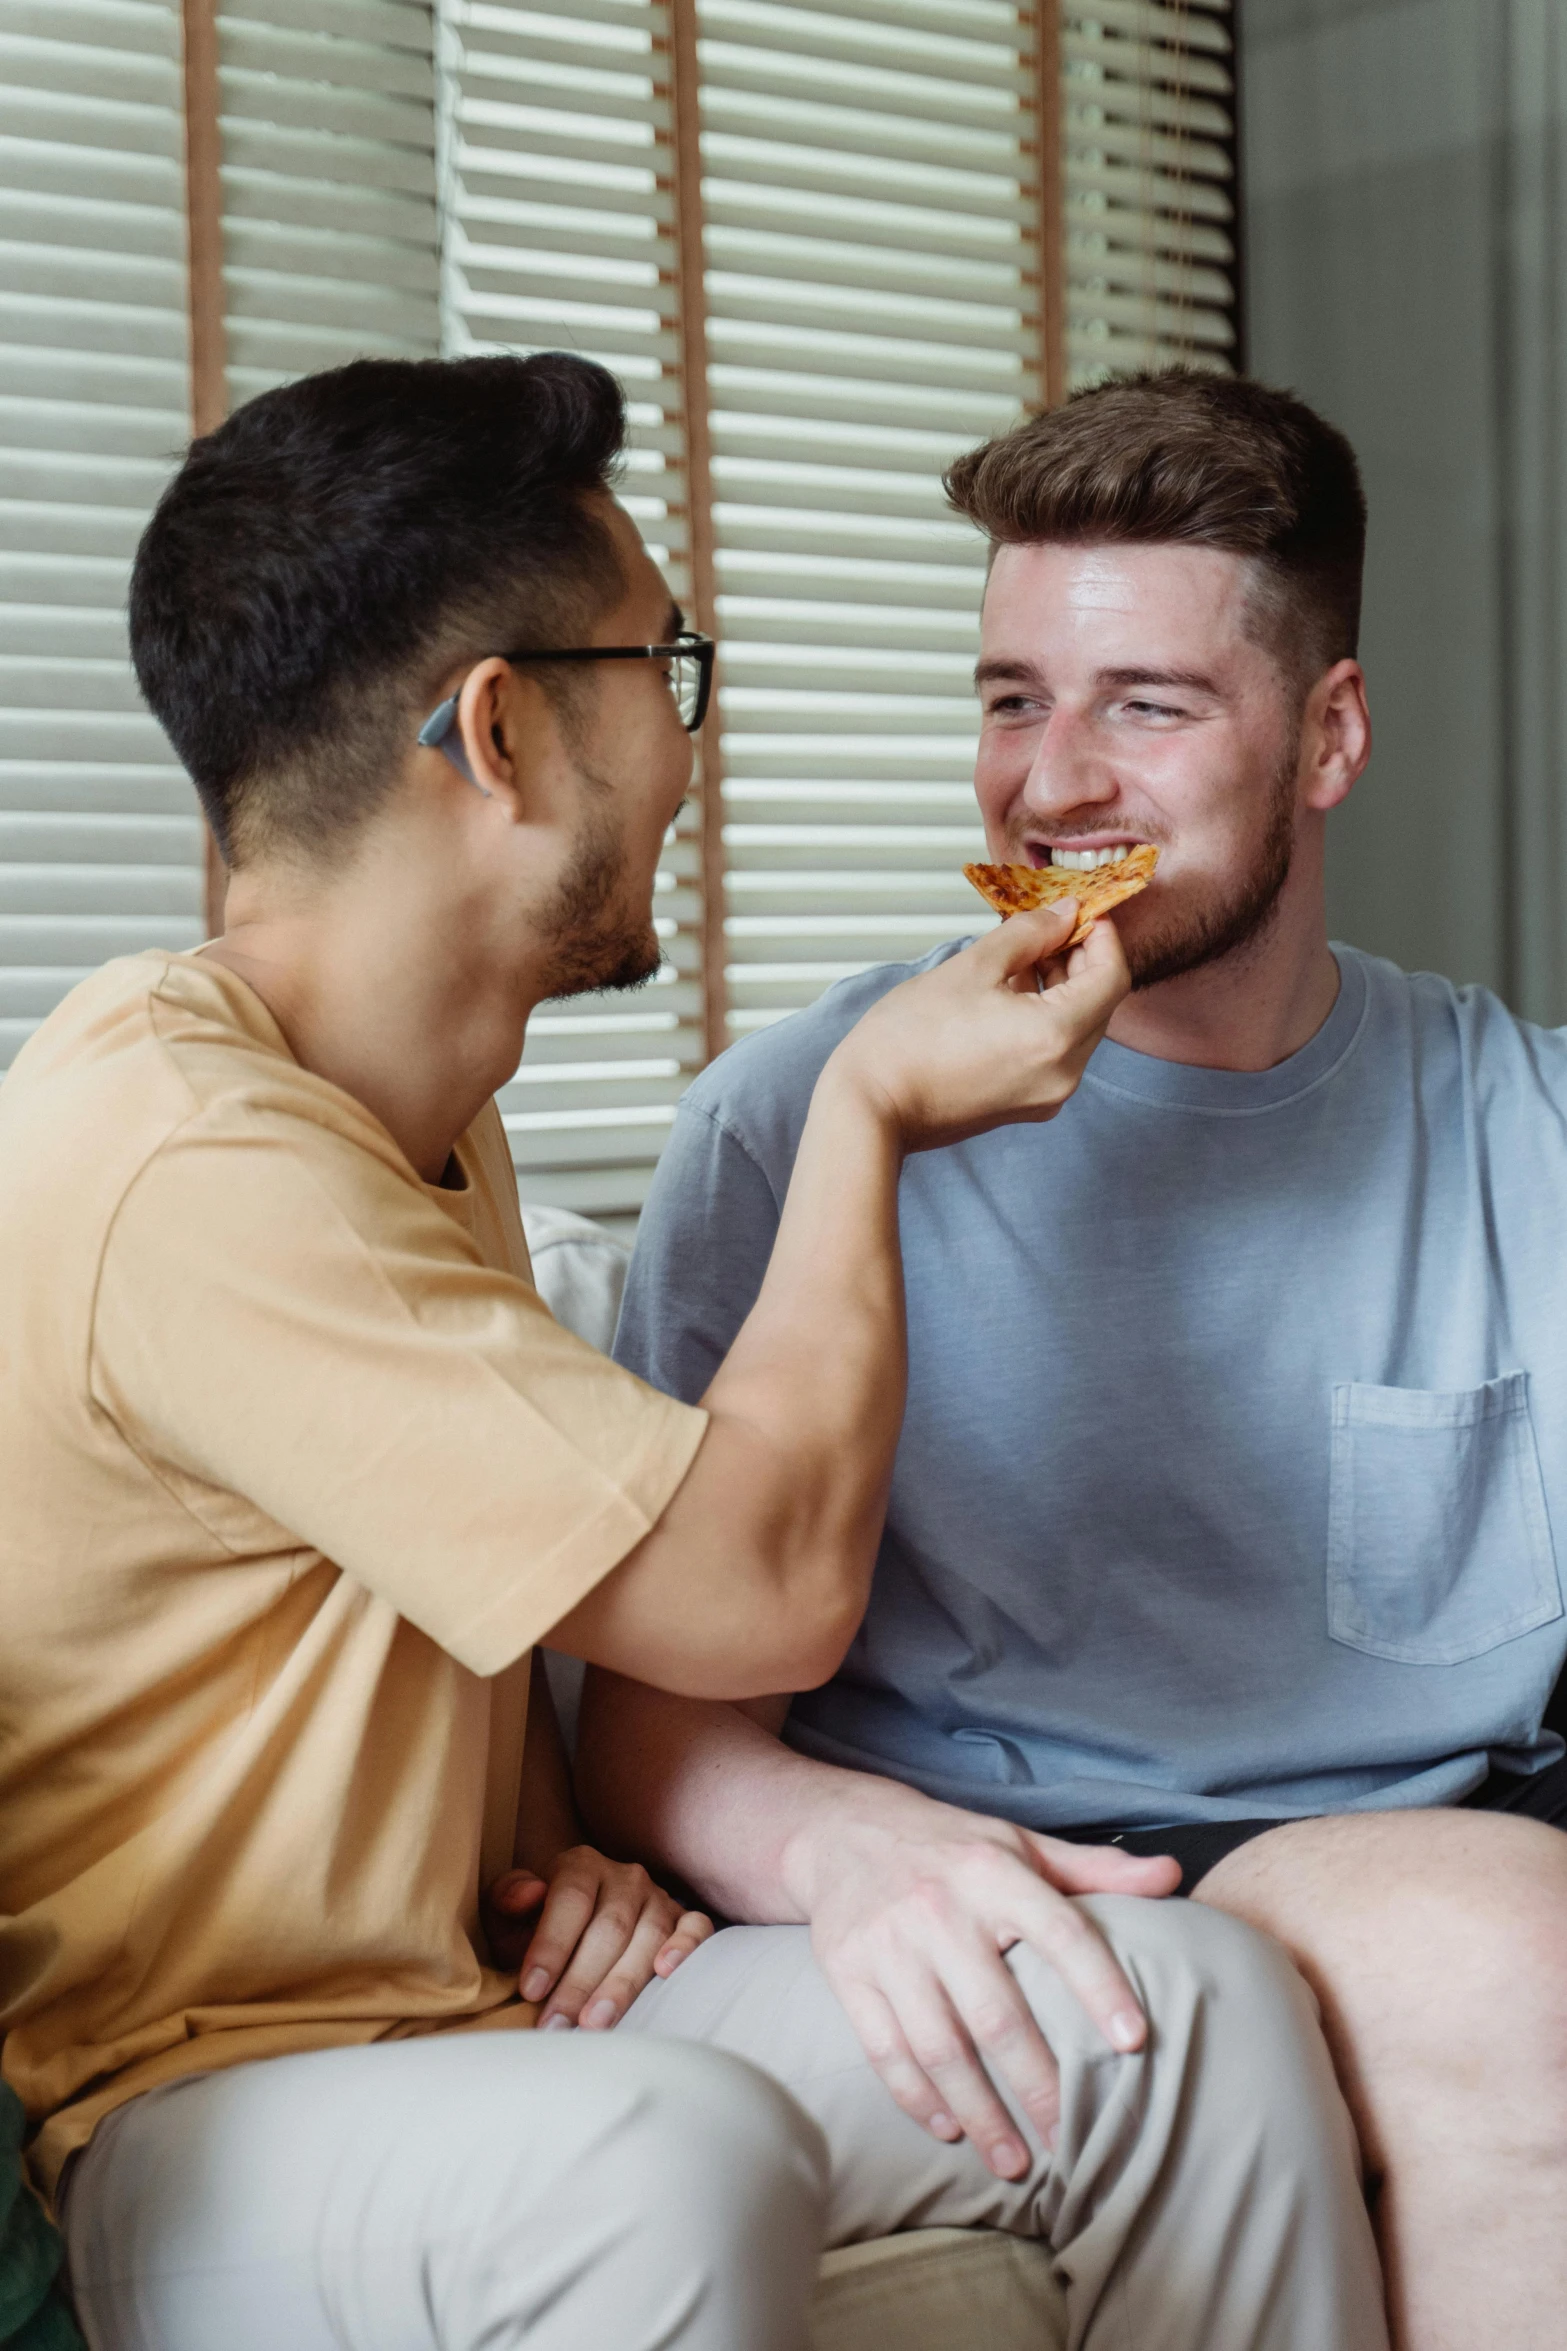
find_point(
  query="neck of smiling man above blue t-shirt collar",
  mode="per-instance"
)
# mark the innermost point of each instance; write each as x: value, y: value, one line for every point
x: 1253, y: 1007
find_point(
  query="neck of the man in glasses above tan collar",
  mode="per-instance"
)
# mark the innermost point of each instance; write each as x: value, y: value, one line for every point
x: 384, y: 991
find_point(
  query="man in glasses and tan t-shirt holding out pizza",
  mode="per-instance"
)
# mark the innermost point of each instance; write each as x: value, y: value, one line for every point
x: 297, y: 1471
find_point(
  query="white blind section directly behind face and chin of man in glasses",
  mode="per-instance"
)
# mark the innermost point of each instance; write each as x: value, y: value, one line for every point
x: 563, y: 236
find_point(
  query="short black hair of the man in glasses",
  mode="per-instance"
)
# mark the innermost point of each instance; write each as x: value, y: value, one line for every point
x: 337, y: 547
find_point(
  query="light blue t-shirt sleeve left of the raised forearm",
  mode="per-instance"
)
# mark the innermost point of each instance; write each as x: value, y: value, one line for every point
x: 704, y: 1245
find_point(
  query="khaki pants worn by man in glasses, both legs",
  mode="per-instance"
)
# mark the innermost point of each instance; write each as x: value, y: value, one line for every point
x: 565, y: 2192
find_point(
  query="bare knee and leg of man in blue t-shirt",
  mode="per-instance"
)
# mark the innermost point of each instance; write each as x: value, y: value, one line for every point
x: 1437, y: 1945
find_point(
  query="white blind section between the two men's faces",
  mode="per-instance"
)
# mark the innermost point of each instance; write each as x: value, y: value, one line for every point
x: 873, y: 309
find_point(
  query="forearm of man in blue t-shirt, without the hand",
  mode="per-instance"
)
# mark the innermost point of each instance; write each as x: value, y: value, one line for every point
x: 711, y: 1795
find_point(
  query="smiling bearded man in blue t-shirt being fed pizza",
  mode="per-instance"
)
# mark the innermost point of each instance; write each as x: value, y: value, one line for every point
x: 1237, y: 1433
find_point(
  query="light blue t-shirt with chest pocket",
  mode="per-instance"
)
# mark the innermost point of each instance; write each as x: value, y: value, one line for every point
x: 1237, y: 1414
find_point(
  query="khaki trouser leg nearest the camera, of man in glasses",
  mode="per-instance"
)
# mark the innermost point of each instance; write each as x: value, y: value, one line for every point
x: 476, y: 2192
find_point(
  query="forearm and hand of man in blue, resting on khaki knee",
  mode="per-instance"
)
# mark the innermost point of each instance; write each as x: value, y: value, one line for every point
x: 910, y: 1903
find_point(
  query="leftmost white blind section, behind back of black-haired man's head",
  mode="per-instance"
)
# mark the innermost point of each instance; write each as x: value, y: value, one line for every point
x: 100, y: 840
